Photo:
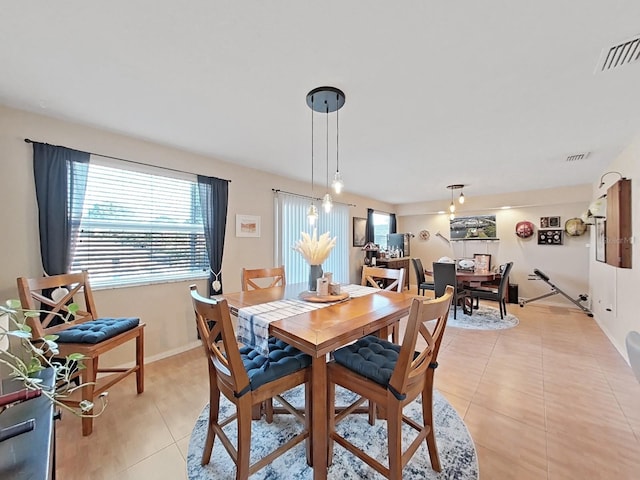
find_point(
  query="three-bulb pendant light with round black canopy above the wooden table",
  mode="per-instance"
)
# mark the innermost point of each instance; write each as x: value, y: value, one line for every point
x: 326, y: 100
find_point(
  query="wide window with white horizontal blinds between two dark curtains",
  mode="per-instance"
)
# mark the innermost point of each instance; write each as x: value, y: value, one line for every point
x: 139, y: 227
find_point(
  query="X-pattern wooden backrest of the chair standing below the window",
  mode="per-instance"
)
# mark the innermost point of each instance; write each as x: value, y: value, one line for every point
x: 35, y: 294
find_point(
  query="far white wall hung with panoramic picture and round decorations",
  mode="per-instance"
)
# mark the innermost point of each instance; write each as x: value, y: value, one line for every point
x: 567, y: 265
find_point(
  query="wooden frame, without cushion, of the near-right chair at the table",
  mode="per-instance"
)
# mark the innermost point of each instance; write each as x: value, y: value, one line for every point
x: 413, y: 375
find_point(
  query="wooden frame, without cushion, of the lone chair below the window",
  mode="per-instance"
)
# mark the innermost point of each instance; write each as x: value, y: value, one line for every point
x: 31, y: 291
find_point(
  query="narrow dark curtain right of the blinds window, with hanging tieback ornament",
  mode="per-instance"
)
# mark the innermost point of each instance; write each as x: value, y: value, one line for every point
x: 214, y: 200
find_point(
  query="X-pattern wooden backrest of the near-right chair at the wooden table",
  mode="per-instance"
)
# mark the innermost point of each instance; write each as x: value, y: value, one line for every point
x: 410, y: 369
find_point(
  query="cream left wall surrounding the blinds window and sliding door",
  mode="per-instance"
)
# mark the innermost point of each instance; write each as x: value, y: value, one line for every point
x: 165, y: 308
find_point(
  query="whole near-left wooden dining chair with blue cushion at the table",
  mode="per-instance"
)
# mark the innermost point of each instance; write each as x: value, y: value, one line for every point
x: 247, y: 378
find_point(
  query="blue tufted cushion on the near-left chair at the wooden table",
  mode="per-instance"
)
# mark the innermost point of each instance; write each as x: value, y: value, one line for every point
x: 283, y: 360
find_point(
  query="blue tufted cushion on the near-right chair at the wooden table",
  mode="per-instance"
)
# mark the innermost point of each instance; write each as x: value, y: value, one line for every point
x: 372, y: 357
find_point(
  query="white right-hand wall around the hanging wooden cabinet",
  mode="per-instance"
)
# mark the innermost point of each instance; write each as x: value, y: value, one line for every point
x: 617, y: 288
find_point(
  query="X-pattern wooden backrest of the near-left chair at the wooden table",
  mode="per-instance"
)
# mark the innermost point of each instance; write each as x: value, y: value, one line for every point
x: 214, y: 325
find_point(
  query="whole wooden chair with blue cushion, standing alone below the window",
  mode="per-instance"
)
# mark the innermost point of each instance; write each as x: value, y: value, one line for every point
x: 85, y: 333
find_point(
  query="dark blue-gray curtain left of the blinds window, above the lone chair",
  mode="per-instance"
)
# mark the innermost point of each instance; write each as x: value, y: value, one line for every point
x: 61, y: 179
